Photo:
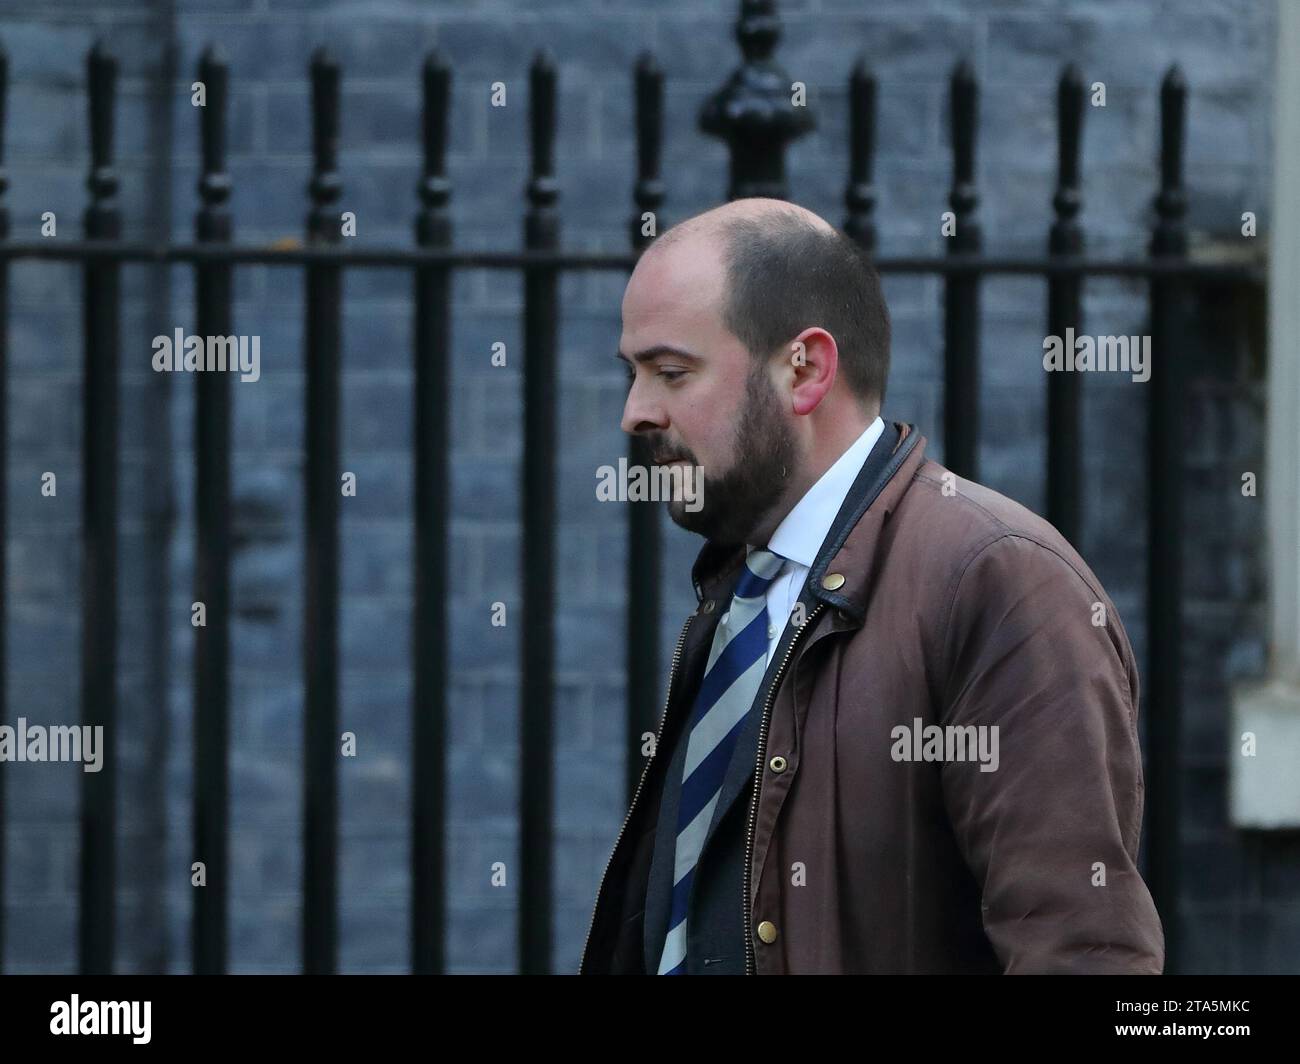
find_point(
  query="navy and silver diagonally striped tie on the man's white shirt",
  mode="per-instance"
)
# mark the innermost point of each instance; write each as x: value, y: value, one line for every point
x: 736, y: 665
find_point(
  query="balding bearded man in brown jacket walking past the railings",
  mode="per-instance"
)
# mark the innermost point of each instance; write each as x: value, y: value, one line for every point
x: 902, y: 725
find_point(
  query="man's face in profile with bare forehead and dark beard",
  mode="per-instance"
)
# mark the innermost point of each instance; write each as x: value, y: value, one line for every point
x: 720, y: 410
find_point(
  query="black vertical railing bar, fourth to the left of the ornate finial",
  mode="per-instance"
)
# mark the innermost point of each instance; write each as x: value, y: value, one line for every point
x: 323, y: 487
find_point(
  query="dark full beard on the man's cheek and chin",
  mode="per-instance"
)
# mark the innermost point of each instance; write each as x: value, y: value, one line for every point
x: 735, y: 501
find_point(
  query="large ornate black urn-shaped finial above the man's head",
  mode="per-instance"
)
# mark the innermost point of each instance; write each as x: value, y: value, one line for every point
x: 755, y: 113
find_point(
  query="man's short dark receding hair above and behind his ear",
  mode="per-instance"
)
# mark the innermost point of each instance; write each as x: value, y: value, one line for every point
x: 785, y: 274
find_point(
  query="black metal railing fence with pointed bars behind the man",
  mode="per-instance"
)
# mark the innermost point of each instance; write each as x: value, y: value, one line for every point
x: 753, y: 114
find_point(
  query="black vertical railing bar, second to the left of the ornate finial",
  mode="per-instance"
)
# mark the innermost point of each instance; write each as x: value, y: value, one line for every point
x: 541, y: 231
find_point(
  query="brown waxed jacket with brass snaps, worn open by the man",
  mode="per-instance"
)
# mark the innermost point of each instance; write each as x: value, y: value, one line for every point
x: 946, y: 605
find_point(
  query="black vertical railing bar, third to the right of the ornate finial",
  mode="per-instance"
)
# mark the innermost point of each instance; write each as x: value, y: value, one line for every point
x: 1065, y: 475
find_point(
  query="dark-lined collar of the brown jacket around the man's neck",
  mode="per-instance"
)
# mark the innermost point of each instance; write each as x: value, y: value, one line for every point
x: 850, y: 548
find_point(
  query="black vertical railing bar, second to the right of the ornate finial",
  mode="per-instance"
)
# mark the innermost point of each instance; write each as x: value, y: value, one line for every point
x: 961, y: 292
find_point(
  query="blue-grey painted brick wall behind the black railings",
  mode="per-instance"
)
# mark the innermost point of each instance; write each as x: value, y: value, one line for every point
x: 1243, y: 914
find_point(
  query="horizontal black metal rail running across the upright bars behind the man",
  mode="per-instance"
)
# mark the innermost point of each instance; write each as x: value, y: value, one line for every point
x: 1249, y: 270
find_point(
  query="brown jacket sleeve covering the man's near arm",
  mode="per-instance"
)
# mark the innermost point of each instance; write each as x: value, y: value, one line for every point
x: 1052, y: 833
